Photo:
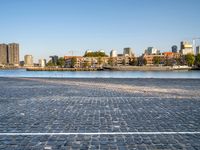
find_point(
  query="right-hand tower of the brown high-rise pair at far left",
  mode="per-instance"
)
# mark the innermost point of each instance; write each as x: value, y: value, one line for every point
x: 13, y: 54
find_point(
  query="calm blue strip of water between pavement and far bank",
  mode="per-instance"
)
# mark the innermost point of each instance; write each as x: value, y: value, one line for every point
x: 101, y: 74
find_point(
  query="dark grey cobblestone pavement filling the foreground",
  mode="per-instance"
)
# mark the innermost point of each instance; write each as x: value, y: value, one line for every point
x: 37, y: 105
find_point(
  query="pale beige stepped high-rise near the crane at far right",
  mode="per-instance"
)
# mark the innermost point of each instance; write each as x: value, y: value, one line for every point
x: 186, y: 48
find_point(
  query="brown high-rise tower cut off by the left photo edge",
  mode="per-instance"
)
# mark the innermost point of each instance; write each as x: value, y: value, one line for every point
x: 3, y: 54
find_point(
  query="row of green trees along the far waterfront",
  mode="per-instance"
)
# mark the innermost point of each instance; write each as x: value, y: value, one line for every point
x: 188, y: 59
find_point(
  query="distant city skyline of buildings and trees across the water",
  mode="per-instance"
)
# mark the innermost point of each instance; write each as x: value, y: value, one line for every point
x: 187, y: 55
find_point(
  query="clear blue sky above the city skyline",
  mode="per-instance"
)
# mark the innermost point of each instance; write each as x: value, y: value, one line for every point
x: 58, y: 27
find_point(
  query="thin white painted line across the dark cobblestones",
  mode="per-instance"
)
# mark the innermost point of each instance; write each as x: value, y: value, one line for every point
x: 99, y: 133
